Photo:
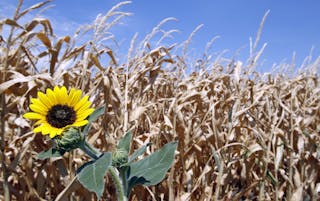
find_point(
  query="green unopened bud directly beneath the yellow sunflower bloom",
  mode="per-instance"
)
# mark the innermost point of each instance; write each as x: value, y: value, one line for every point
x: 70, y: 139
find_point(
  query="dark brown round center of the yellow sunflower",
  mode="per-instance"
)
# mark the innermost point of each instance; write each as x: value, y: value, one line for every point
x: 60, y: 116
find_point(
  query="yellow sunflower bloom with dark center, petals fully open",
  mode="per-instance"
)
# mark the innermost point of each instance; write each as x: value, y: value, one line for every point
x: 57, y: 110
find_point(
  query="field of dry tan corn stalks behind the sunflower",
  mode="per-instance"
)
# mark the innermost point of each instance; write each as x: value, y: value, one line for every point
x: 243, y: 135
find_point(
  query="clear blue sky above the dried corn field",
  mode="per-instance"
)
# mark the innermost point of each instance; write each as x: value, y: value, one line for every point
x: 291, y: 26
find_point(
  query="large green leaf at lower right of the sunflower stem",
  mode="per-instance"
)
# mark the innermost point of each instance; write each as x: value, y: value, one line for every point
x: 152, y: 169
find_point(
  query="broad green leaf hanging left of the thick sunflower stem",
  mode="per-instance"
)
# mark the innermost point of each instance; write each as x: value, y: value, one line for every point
x: 91, y: 176
